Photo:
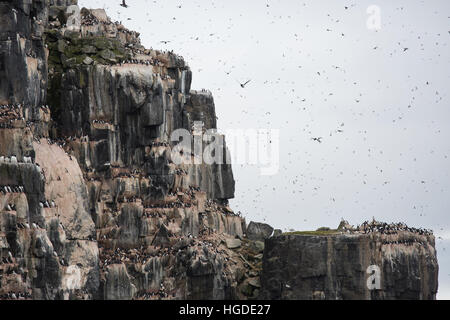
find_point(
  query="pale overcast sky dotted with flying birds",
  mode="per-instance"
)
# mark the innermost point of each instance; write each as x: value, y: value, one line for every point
x: 315, y: 67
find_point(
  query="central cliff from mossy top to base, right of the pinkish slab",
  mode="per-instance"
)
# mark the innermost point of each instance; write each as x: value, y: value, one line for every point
x: 148, y: 216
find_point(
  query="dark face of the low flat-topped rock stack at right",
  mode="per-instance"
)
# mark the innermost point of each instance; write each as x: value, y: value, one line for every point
x: 341, y: 266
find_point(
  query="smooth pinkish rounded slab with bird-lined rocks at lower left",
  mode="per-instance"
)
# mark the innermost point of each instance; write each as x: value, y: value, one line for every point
x: 51, y: 234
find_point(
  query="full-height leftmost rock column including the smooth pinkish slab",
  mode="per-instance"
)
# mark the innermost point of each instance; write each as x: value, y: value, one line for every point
x: 48, y: 248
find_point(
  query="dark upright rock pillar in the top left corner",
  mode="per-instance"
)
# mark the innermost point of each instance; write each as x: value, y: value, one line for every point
x: 23, y: 67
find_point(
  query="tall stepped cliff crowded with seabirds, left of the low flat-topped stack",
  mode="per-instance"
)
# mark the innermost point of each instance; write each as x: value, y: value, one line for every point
x: 92, y: 203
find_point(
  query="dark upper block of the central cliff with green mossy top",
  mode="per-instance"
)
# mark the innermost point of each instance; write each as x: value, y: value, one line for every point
x: 127, y: 105
